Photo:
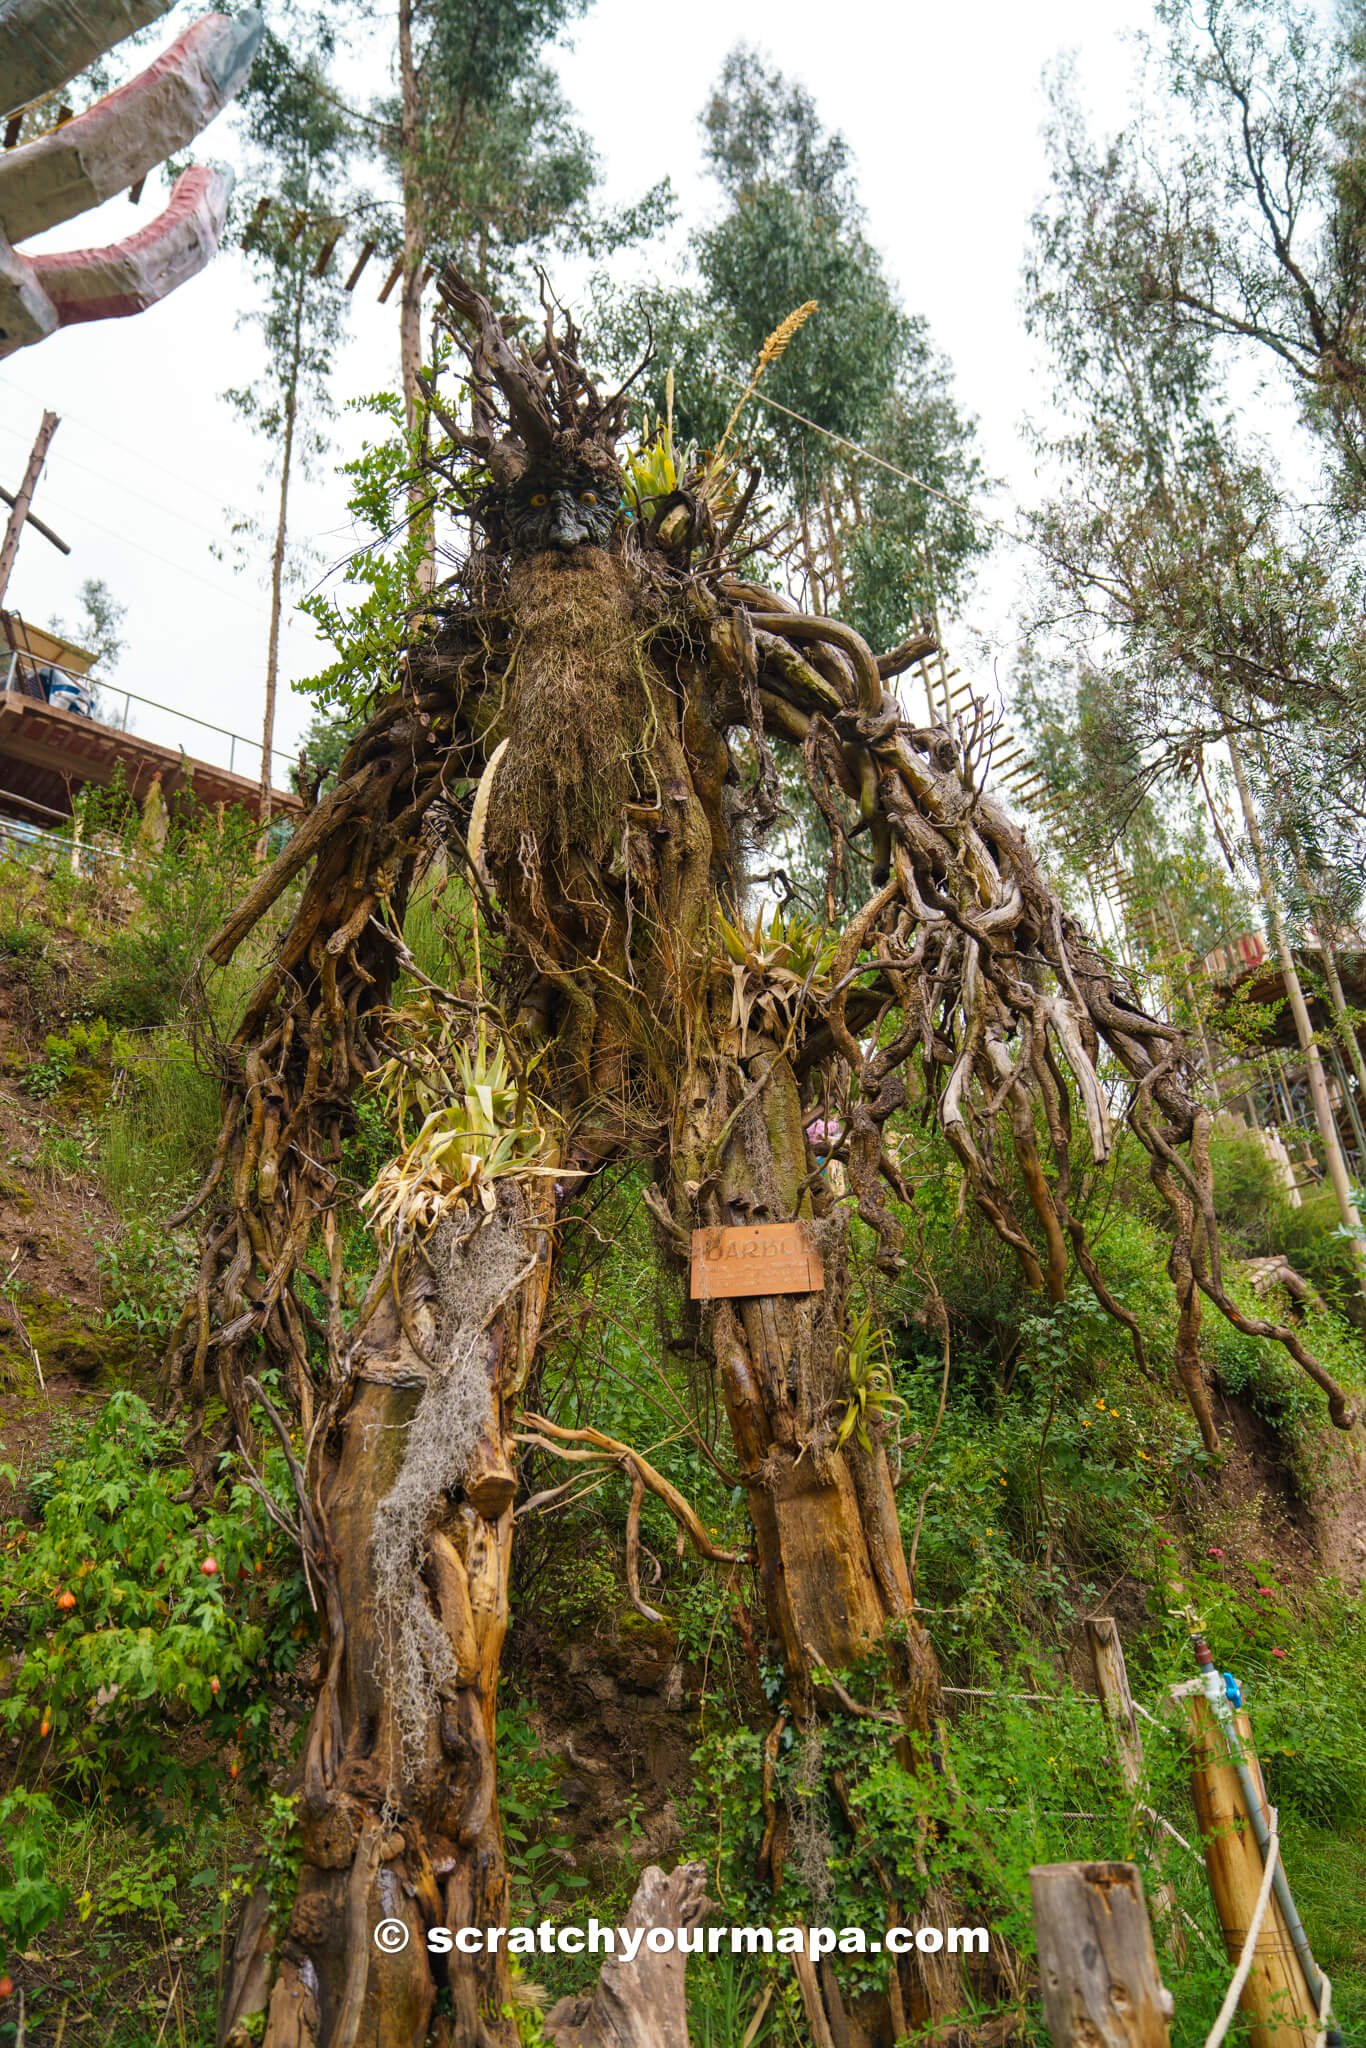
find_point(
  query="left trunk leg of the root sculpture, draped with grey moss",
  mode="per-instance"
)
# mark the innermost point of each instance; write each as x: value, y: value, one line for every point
x: 398, y: 1809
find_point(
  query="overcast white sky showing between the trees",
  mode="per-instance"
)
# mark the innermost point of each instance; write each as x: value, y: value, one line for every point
x: 945, y: 110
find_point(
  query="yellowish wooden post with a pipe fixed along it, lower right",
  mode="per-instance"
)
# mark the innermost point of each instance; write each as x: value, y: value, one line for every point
x: 1277, y: 1998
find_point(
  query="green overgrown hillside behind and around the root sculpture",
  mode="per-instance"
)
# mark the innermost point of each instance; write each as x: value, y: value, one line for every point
x: 159, y: 1644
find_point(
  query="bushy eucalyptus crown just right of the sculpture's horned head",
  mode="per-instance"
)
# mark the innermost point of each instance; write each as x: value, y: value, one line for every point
x: 861, y: 376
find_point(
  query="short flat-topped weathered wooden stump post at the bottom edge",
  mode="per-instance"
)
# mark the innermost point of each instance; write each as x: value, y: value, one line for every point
x: 1097, y: 1961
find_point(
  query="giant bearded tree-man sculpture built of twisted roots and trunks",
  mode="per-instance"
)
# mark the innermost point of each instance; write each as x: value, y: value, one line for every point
x: 572, y: 734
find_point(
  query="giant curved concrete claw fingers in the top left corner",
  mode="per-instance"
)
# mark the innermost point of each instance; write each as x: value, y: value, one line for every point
x: 103, y: 153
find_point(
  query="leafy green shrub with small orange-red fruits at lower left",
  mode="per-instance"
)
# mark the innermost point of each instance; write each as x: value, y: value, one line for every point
x: 124, y: 1637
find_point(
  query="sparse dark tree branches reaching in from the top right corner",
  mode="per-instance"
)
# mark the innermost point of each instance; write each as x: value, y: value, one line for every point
x: 1240, y: 200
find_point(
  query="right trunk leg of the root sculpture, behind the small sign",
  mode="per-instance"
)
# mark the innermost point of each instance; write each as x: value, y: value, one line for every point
x: 830, y: 1551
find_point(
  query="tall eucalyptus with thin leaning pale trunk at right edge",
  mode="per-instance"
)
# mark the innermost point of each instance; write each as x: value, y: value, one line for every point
x: 1211, y: 611
